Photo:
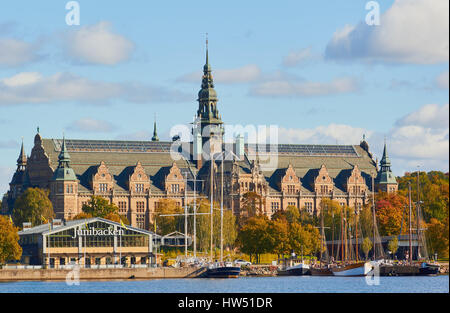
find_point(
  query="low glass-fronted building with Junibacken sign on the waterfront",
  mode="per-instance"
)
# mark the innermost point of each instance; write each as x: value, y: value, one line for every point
x: 87, y: 242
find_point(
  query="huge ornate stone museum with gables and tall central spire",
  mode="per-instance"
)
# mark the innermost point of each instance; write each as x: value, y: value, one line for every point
x: 136, y: 175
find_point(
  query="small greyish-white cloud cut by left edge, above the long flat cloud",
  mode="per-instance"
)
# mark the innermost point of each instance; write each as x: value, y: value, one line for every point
x: 15, y: 52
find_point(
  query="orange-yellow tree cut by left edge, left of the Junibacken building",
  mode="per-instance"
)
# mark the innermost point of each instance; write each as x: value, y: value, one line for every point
x: 9, y: 247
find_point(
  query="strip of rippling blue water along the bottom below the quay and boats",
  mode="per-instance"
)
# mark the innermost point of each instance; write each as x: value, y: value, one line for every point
x: 299, y: 284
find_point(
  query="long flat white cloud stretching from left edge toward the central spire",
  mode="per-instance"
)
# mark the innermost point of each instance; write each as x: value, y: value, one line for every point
x: 32, y: 87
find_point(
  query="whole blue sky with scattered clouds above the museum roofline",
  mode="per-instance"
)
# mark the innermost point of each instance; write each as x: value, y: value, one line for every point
x: 314, y: 68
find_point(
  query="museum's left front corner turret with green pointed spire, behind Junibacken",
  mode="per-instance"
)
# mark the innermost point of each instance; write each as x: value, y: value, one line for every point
x: 64, y: 186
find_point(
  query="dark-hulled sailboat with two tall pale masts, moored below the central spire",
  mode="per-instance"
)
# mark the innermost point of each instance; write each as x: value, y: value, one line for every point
x: 220, y: 269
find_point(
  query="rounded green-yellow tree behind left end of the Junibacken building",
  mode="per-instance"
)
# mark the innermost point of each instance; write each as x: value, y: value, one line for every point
x: 32, y: 206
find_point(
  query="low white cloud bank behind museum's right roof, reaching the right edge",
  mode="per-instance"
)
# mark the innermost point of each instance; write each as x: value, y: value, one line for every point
x: 419, y: 138
